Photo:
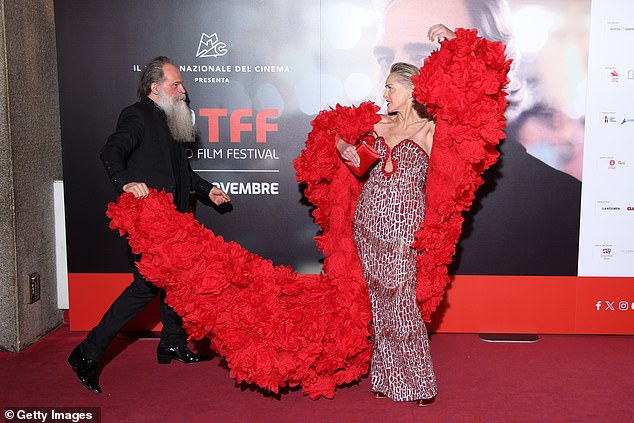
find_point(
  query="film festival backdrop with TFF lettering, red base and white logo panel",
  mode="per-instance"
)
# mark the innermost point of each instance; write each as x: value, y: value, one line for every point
x: 258, y: 72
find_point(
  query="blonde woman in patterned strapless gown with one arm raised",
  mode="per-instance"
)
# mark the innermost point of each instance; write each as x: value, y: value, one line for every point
x: 388, y: 213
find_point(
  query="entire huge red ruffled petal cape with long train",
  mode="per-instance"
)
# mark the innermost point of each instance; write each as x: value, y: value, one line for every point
x: 275, y: 327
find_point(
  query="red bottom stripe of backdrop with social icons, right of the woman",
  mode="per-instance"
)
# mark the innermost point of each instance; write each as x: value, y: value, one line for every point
x: 537, y: 304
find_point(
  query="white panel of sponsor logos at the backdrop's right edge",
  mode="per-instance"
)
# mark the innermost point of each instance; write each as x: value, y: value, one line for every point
x: 607, y: 230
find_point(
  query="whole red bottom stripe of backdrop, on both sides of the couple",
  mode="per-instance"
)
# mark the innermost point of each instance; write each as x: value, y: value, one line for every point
x: 474, y: 304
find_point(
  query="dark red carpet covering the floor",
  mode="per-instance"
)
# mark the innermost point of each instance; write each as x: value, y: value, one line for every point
x: 560, y: 378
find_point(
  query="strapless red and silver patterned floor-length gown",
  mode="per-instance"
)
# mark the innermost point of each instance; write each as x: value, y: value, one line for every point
x: 389, y: 211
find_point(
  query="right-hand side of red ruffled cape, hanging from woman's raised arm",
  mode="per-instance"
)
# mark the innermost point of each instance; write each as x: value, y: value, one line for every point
x: 462, y: 85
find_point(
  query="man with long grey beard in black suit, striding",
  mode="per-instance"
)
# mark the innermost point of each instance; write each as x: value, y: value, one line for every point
x: 143, y: 153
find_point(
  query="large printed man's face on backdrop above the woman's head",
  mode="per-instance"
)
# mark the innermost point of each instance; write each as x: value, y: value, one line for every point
x: 404, y: 33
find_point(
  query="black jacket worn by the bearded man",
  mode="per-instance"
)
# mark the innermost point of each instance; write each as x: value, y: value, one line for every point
x: 142, y: 150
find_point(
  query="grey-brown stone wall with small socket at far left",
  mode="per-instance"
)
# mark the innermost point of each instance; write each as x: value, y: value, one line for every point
x: 30, y: 160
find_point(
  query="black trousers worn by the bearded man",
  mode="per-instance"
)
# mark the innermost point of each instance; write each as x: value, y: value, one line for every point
x: 132, y: 300
